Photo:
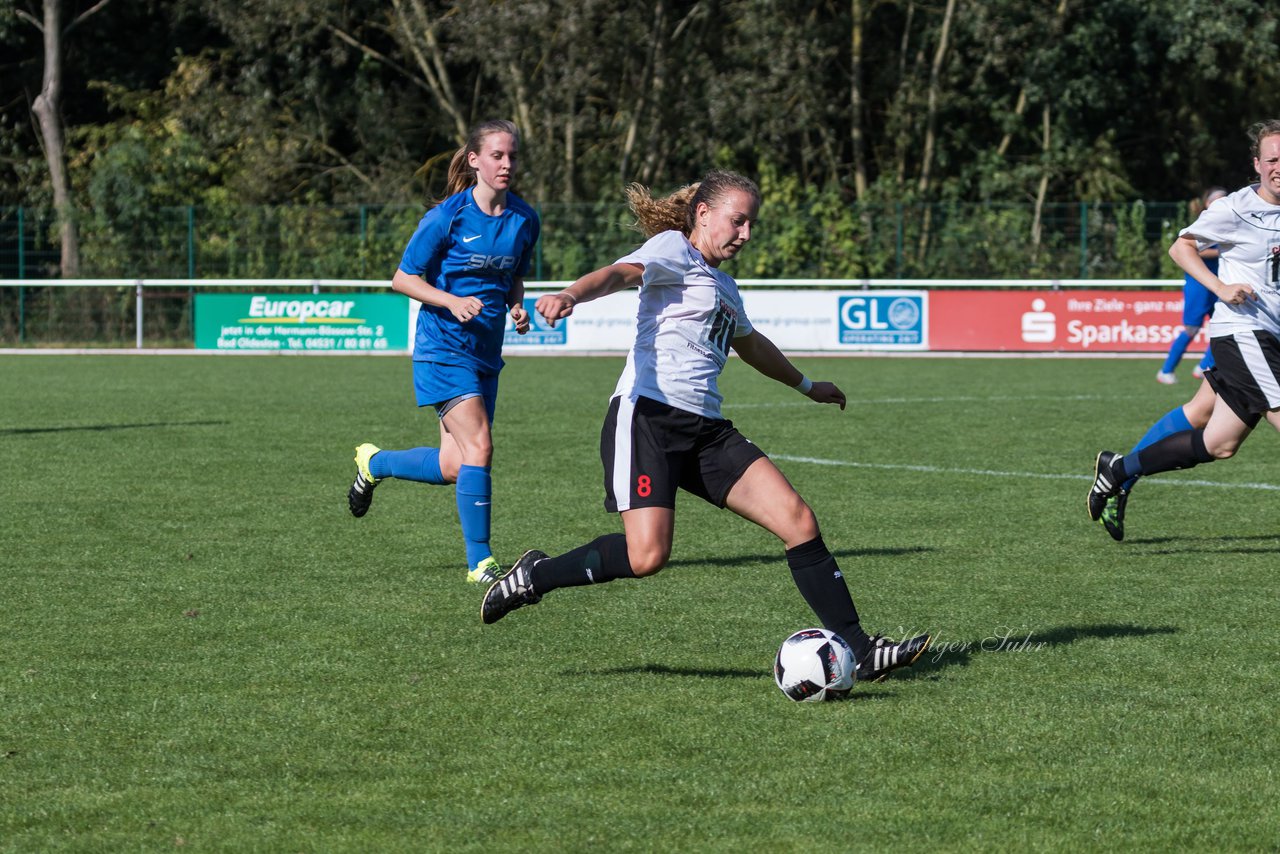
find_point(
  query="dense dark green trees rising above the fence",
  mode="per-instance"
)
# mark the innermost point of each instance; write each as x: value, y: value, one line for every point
x: 116, y: 108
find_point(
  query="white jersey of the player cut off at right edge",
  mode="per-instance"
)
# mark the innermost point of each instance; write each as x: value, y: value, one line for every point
x: 1247, y: 231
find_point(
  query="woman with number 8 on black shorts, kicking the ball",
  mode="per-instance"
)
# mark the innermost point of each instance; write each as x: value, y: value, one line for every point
x: 665, y: 430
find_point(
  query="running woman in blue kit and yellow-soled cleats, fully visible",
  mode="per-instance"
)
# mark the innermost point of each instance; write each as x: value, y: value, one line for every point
x: 467, y: 266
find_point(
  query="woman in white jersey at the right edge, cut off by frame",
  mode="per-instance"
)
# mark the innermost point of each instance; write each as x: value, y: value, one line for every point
x: 1245, y: 335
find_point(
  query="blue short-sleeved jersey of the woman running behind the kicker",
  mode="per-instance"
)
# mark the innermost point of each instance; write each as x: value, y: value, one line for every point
x: 464, y: 252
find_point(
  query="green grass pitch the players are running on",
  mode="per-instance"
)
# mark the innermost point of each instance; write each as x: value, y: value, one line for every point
x: 203, y: 650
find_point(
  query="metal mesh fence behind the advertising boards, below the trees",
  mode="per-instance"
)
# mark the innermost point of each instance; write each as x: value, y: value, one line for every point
x: 981, y: 241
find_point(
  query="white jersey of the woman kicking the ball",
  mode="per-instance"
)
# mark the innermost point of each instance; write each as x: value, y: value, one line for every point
x: 689, y: 313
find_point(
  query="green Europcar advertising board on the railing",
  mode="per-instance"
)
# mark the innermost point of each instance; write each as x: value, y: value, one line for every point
x: 310, y: 323
